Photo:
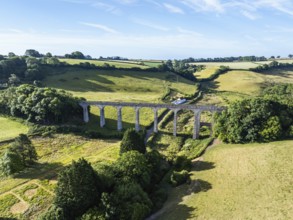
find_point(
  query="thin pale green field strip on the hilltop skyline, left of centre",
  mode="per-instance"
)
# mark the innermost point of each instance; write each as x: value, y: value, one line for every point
x: 118, y: 64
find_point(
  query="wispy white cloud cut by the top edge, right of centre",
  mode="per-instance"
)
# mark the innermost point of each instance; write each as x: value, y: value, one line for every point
x: 204, y: 5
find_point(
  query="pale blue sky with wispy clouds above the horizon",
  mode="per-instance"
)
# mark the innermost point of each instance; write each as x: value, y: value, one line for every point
x: 149, y: 29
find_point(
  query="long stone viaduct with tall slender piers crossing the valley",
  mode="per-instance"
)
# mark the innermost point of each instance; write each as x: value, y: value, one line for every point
x: 175, y: 108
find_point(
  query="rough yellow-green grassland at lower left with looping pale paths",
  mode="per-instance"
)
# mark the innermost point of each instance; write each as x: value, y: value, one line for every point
x: 31, y: 191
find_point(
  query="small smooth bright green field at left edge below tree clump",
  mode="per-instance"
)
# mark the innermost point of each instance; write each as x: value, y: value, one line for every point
x: 11, y: 128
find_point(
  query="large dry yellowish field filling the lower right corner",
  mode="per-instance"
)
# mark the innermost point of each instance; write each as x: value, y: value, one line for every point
x: 251, y: 181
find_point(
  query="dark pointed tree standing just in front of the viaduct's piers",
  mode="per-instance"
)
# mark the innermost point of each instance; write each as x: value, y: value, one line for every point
x: 132, y: 140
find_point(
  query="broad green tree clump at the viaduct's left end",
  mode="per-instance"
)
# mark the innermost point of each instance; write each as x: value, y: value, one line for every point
x: 41, y: 105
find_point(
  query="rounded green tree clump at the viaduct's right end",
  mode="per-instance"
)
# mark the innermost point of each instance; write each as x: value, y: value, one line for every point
x: 252, y: 120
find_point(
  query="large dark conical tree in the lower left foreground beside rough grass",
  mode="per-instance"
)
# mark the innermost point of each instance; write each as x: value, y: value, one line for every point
x: 78, y: 188
